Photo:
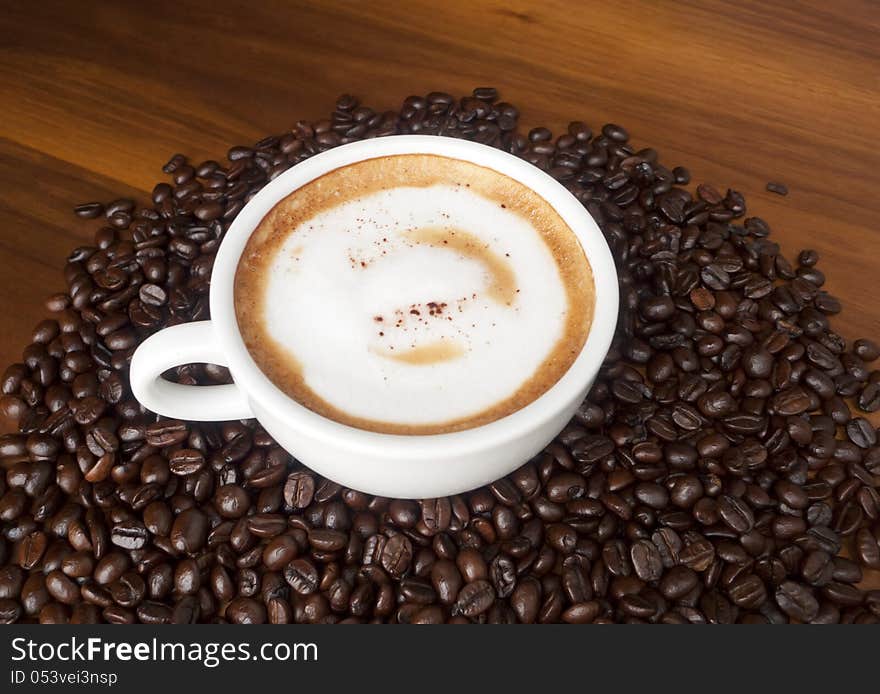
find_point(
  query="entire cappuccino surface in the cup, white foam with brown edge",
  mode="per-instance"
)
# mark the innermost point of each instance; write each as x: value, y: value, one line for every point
x: 414, y: 294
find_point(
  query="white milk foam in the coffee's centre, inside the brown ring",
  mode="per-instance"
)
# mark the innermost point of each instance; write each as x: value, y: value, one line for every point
x: 395, y: 306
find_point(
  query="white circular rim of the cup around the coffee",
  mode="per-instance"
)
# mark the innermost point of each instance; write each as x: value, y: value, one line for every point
x: 266, y: 396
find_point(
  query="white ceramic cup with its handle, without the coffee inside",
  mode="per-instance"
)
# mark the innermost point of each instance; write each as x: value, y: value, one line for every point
x: 385, y: 464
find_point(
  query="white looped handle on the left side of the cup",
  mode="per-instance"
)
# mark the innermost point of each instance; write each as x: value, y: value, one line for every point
x: 187, y: 343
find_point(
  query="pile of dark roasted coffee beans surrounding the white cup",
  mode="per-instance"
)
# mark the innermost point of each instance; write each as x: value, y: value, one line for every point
x: 718, y: 472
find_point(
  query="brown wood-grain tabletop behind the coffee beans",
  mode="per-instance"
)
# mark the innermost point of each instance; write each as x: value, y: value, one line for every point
x: 96, y: 96
